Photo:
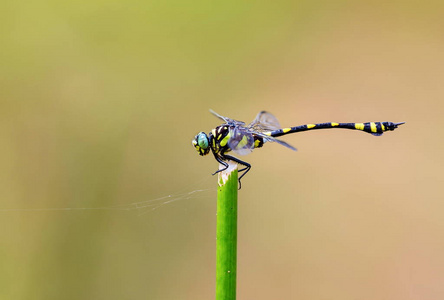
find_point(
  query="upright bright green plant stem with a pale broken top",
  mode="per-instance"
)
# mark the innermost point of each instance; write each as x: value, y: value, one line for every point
x: 226, y: 244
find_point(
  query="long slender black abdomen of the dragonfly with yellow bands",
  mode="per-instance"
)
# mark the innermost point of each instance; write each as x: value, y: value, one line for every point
x: 375, y: 128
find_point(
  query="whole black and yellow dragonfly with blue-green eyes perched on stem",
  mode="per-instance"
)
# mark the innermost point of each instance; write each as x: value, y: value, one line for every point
x: 242, y: 139
